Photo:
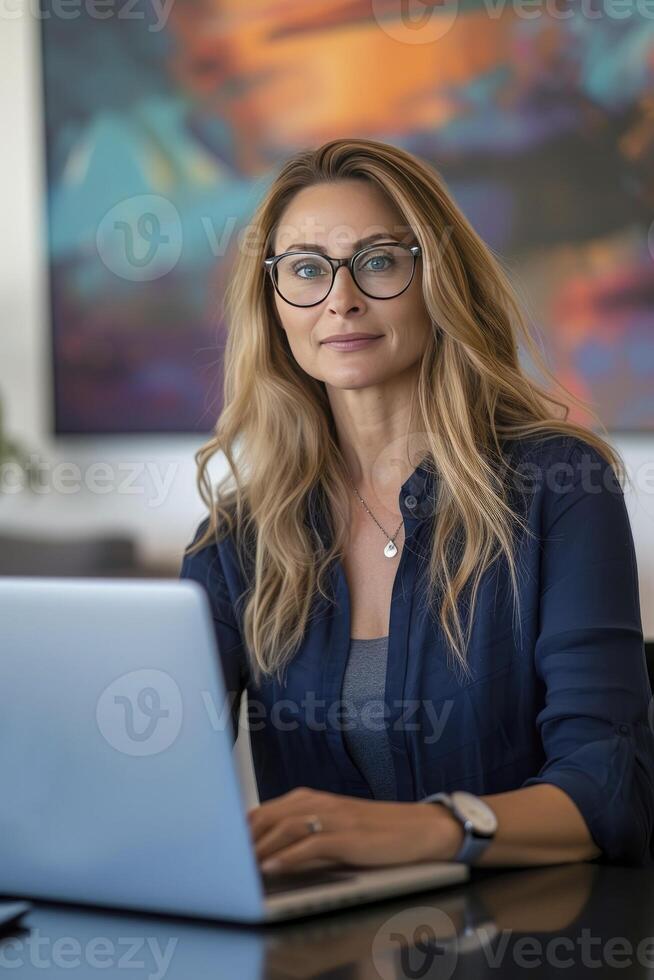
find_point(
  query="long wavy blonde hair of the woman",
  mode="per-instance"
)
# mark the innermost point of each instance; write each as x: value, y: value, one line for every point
x: 277, y: 433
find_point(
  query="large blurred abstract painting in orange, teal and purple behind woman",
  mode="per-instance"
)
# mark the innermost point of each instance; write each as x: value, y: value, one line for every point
x: 166, y: 120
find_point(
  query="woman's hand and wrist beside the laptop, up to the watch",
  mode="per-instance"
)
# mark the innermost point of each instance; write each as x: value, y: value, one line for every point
x: 354, y: 831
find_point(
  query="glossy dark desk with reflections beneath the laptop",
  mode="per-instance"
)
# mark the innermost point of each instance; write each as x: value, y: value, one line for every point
x: 570, y: 920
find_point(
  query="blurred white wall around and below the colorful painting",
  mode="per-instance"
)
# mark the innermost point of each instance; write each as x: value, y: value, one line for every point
x: 162, y: 515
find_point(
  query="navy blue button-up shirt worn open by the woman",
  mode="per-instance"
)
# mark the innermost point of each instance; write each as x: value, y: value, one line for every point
x: 562, y: 698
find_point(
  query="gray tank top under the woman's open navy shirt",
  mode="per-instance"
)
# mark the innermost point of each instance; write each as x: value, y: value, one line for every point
x: 365, y: 733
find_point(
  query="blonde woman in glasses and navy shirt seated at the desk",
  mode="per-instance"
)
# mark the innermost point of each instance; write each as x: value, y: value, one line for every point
x: 420, y: 570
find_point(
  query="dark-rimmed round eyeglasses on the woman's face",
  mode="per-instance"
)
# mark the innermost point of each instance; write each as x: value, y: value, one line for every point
x: 381, y: 271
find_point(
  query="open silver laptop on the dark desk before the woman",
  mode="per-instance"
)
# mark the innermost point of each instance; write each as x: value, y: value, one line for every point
x: 120, y: 786
